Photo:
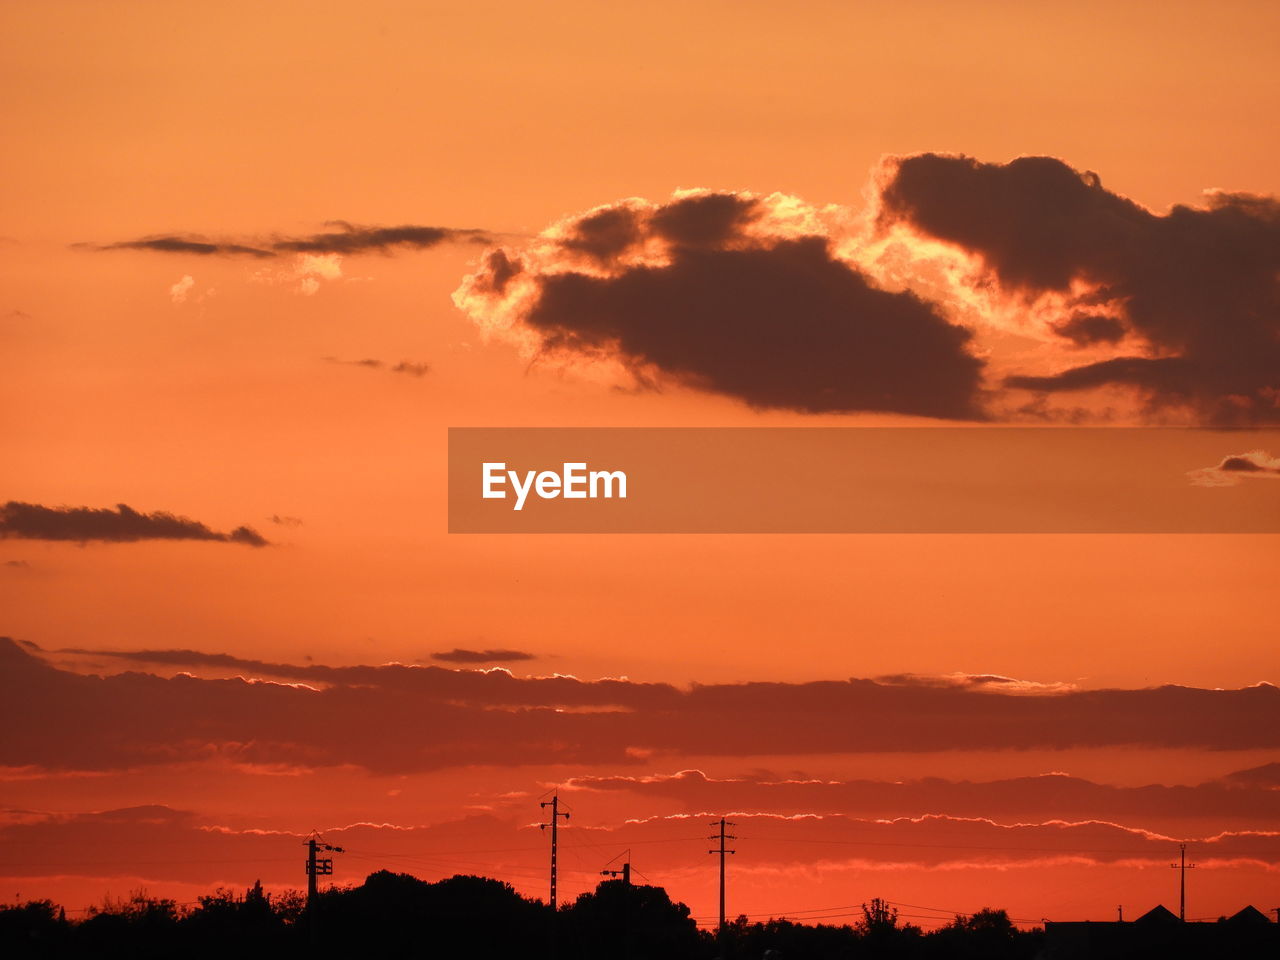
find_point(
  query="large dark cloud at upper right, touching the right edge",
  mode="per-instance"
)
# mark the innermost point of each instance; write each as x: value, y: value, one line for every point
x: 1197, y: 289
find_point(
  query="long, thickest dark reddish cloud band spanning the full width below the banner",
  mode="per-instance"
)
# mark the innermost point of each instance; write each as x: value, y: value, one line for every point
x: 400, y: 719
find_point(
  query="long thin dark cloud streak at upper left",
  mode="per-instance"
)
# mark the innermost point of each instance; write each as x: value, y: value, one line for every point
x: 342, y: 237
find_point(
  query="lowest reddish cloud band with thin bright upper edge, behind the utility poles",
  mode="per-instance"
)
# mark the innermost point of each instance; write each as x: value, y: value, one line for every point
x: 168, y: 844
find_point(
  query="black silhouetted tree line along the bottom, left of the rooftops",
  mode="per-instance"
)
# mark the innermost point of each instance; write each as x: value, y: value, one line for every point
x: 399, y: 916
